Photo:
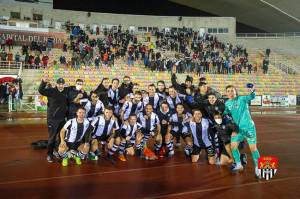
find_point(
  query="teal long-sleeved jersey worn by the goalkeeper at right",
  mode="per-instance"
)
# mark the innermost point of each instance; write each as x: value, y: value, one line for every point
x: 239, y: 111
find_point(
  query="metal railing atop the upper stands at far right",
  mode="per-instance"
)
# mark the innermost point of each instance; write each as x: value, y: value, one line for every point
x: 268, y: 35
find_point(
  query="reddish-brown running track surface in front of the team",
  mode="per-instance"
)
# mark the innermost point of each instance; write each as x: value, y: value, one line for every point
x: 24, y: 173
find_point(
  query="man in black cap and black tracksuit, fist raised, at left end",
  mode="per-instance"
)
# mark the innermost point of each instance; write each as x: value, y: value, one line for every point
x: 56, y: 112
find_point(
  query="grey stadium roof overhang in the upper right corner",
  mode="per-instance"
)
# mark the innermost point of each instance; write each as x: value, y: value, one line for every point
x: 267, y: 15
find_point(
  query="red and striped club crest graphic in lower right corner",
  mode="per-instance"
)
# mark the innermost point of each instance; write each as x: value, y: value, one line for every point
x: 267, y: 166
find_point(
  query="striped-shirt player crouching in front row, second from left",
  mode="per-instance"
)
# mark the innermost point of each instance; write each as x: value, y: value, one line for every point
x: 105, y: 132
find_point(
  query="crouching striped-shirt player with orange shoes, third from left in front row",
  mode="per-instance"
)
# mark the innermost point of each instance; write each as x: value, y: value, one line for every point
x: 131, y: 135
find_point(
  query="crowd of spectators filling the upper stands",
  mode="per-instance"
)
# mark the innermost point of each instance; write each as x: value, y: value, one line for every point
x: 189, y: 50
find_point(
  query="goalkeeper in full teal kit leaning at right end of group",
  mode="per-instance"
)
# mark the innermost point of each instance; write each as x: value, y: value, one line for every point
x: 237, y: 107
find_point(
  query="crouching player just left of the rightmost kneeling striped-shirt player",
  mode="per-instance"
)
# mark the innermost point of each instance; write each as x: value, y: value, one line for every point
x: 175, y: 129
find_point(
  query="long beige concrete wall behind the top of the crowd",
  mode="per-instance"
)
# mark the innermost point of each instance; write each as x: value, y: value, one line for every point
x: 77, y: 17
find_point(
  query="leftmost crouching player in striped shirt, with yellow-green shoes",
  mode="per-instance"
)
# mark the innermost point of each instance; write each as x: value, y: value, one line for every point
x: 75, y: 137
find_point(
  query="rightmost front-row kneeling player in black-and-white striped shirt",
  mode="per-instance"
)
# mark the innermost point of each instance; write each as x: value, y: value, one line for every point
x: 199, y: 128
